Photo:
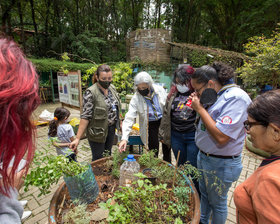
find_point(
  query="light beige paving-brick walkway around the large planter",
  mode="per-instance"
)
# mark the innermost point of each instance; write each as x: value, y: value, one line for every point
x: 39, y: 205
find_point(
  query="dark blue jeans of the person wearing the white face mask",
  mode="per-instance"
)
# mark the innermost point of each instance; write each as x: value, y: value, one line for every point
x: 184, y: 141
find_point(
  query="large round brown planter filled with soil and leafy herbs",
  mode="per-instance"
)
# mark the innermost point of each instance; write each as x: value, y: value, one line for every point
x: 168, y: 201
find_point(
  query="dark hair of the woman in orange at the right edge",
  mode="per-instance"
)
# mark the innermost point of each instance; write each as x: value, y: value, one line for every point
x: 265, y: 108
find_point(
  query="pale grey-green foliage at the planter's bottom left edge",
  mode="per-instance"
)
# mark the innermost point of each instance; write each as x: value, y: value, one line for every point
x: 77, y: 215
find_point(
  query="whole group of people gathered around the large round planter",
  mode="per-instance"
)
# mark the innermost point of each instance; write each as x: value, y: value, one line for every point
x: 211, y: 138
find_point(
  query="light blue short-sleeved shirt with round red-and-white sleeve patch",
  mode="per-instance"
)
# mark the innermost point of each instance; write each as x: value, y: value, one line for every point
x: 229, y: 112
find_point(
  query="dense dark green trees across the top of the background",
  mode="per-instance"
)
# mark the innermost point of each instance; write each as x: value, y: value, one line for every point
x: 97, y: 29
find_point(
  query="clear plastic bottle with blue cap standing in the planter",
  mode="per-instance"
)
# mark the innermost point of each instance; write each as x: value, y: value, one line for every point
x: 127, y: 171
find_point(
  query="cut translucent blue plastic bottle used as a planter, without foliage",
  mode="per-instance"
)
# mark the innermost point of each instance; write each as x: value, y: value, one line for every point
x: 82, y: 187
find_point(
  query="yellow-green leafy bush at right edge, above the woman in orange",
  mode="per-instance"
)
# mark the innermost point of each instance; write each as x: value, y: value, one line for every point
x: 263, y: 67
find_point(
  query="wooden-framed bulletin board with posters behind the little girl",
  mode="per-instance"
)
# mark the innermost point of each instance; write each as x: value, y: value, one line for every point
x: 70, y: 89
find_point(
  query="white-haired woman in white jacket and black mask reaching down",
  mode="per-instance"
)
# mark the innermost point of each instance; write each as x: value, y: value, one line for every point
x: 147, y: 102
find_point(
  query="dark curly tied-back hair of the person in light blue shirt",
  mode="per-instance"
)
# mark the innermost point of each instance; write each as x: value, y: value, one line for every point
x: 218, y: 71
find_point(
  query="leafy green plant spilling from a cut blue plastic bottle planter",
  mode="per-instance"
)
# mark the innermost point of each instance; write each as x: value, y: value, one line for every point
x: 78, y: 177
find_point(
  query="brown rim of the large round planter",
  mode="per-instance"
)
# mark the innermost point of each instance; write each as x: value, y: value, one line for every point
x: 58, y: 197
